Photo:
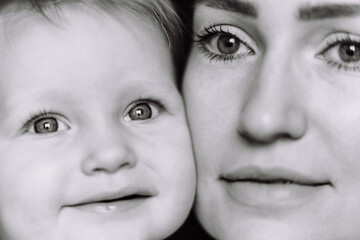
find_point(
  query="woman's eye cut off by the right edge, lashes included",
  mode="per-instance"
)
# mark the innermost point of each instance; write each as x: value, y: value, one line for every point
x: 343, y: 52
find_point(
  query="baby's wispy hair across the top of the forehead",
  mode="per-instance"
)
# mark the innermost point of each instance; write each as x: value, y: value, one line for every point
x: 16, y: 18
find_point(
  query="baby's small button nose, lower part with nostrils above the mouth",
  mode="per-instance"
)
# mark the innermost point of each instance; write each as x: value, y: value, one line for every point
x: 108, y: 152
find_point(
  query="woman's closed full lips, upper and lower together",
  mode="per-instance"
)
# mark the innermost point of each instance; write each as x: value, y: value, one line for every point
x: 273, y: 188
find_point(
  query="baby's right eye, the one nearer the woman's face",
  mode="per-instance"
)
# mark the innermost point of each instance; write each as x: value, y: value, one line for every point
x: 142, y: 111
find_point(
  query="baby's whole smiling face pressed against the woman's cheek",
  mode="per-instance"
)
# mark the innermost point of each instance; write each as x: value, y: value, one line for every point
x: 93, y: 139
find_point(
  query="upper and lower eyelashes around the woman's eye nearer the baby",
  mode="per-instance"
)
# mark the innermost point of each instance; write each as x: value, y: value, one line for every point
x: 215, y: 29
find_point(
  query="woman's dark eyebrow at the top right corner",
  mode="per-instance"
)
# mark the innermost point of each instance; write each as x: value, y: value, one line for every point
x: 320, y: 12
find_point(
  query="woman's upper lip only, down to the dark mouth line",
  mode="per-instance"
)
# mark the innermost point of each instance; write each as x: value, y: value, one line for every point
x: 273, y: 176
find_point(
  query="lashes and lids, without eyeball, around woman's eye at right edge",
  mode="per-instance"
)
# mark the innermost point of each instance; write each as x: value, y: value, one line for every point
x: 333, y: 41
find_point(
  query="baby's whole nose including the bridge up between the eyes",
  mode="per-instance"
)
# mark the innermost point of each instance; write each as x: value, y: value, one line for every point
x: 108, y: 148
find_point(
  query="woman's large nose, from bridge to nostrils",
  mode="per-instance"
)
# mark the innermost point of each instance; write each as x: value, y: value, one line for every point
x: 273, y: 109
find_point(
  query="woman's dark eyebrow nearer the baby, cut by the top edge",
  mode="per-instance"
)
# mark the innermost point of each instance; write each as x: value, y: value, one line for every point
x: 238, y: 6
